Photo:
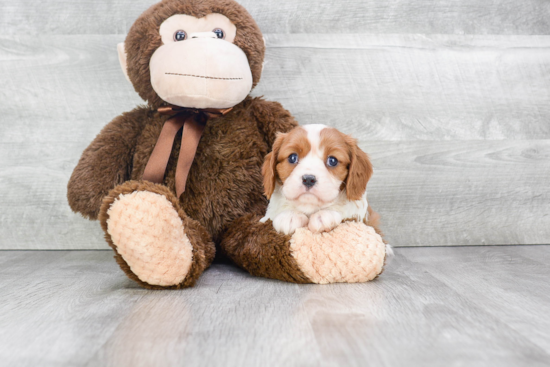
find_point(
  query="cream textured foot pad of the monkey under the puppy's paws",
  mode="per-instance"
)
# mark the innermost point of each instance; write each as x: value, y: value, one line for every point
x: 352, y: 253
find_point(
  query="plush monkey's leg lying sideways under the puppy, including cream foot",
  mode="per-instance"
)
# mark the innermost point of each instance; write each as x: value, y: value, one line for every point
x: 352, y: 252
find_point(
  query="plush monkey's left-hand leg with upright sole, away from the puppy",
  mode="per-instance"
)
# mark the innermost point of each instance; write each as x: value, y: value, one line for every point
x: 155, y: 242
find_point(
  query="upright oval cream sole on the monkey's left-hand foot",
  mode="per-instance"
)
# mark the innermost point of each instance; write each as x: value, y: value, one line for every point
x: 149, y: 235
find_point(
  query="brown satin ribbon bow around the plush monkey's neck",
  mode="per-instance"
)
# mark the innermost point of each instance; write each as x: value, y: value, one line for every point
x: 193, y: 122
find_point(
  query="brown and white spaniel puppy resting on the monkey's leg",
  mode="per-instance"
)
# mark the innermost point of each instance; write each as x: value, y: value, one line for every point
x: 316, y: 177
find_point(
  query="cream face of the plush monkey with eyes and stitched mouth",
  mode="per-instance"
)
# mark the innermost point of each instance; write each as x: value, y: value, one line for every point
x: 198, y: 65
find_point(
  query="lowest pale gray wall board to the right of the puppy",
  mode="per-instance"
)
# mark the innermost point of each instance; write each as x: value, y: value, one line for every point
x: 462, y: 193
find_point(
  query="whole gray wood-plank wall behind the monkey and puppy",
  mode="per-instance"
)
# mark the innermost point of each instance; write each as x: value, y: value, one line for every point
x: 450, y: 98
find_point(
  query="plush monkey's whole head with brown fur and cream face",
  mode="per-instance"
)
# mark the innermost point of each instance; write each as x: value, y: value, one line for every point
x: 193, y: 53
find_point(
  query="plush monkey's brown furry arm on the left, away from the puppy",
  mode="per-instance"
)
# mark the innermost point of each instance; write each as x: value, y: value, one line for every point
x: 106, y: 163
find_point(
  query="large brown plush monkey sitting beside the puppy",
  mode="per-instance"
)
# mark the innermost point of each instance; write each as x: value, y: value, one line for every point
x: 180, y: 179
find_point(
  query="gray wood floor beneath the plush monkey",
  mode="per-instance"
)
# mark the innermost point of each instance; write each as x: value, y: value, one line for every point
x: 439, y: 306
